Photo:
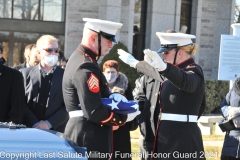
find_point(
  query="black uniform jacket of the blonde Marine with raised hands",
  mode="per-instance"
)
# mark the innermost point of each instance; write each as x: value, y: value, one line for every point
x: 182, y: 93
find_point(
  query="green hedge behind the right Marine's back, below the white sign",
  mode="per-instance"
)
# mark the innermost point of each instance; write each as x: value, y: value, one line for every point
x: 215, y: 93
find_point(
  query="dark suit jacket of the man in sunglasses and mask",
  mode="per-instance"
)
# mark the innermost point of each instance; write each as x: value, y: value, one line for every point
x: 55, y: 111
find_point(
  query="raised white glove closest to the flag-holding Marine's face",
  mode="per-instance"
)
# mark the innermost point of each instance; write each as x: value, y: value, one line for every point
x: 127, y: 58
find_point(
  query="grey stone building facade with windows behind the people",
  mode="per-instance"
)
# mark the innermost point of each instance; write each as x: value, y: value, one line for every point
x: 23, y: 21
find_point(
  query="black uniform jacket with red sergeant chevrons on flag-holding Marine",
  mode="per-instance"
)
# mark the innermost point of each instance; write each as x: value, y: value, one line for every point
x: 85, y: 84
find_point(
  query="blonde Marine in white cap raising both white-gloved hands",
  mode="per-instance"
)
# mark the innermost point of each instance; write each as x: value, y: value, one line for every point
x: 181, y: 94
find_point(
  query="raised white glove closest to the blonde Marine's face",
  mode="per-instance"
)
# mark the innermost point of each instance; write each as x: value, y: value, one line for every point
x: 154, y: 60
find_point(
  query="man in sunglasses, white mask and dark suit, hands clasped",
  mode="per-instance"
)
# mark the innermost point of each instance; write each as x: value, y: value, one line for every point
x: 43, y: 87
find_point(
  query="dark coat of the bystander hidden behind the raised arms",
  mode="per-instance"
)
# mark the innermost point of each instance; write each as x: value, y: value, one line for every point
x: 147, y: 97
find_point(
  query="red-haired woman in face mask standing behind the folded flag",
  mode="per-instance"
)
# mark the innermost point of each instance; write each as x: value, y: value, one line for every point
x: 118, y: 82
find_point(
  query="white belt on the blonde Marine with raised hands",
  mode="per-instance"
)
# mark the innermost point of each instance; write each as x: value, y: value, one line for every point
x: 178, y: 117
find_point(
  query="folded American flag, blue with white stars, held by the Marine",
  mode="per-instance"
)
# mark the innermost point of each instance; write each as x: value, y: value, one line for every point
x: 120, y: 107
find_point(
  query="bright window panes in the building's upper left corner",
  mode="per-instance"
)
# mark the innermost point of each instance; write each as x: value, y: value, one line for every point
x: 44, y: 10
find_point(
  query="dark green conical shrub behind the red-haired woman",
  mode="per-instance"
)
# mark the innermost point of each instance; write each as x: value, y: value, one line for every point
x: 130, y: 72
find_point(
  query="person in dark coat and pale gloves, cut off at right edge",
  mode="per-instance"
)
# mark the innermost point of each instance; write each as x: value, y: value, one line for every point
x: 230, y: 110
